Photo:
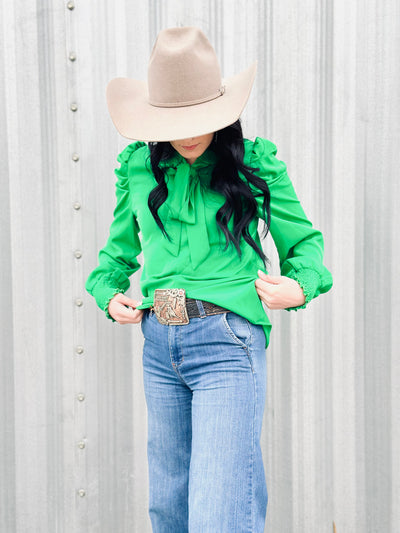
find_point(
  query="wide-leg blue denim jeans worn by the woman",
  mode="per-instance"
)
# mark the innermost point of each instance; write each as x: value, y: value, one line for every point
x: 205, y: 386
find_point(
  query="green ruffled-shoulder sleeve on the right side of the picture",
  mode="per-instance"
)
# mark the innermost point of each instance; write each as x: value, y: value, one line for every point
x: 300, y: 246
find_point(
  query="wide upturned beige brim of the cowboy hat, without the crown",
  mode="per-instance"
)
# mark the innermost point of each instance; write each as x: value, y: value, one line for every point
x: 136, y: 119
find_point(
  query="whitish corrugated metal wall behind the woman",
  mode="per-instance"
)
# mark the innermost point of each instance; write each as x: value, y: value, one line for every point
x: 72, y: 410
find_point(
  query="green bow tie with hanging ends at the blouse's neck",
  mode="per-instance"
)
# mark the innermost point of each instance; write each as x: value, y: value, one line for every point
x: 186, y: 204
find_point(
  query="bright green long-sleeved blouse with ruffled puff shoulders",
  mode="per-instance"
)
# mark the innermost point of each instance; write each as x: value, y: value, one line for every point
x: 195, y: 256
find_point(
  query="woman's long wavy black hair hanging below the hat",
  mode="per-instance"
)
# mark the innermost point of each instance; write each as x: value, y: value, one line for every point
x: 240, y: 202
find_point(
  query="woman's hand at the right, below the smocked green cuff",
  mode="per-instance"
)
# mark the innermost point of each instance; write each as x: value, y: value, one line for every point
x: 279, y: 292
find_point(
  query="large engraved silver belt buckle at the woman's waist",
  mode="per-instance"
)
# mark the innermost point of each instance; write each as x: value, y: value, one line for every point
x: 170, y: 307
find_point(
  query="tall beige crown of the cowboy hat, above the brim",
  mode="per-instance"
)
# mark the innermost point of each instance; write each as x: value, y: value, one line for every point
x: 183, y: 69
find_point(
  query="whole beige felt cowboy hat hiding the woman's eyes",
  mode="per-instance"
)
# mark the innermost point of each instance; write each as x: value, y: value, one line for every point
x: 184, y: 96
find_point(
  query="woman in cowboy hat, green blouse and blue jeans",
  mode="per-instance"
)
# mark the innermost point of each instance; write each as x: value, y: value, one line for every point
x: 190, y: 200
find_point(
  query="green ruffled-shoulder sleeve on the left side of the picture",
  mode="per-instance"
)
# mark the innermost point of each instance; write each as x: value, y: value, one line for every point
x: 117, y: 260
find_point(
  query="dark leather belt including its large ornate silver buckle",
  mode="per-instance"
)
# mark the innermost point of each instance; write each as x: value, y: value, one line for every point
x: 171, y: 307
